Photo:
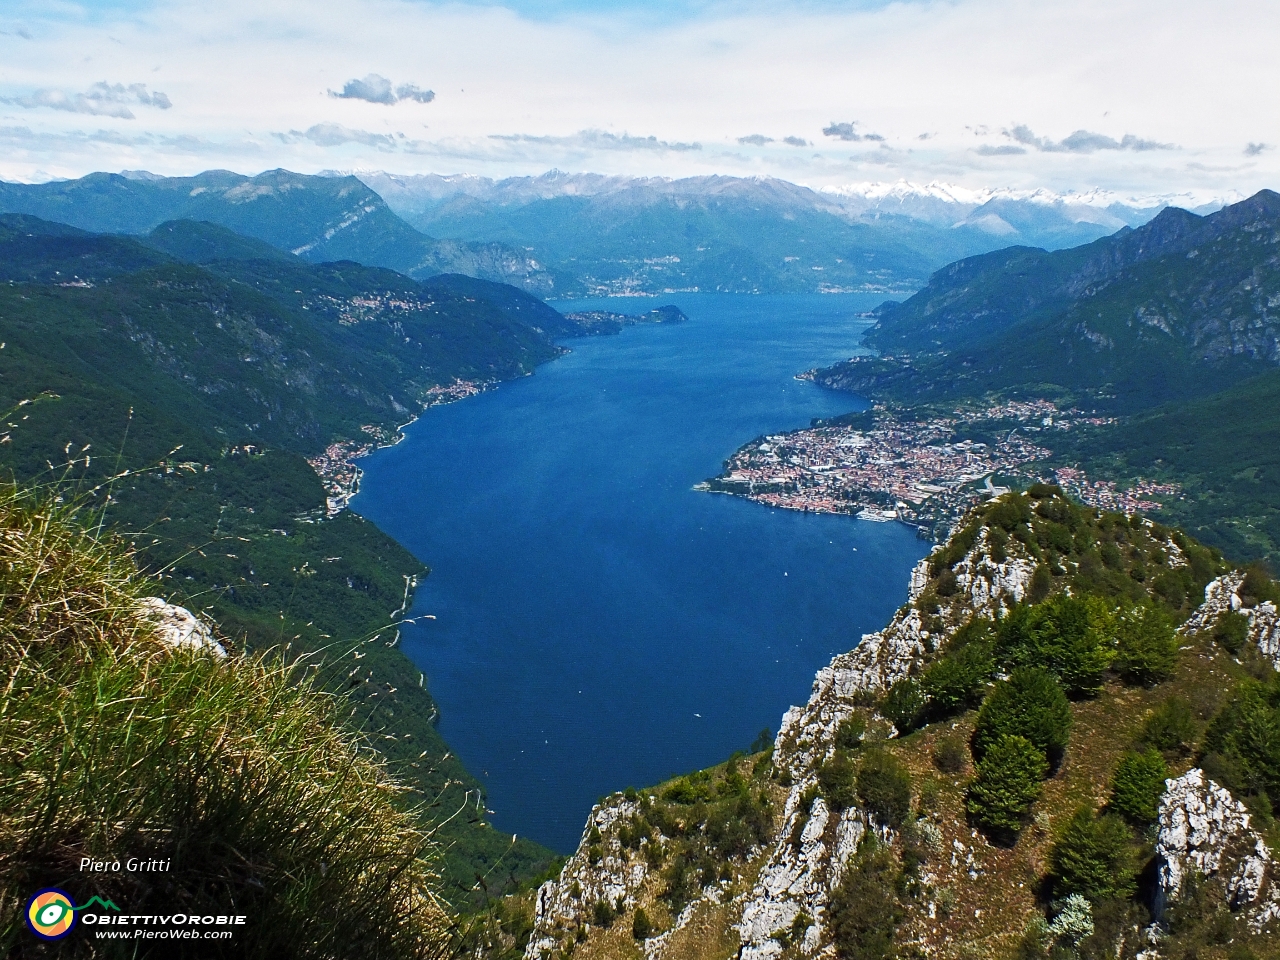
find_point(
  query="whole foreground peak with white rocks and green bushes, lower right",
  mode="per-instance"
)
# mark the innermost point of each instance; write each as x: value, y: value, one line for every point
x: 1027, y: 762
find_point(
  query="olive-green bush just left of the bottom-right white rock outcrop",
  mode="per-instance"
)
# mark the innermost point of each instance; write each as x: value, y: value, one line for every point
x: 1092, y: 858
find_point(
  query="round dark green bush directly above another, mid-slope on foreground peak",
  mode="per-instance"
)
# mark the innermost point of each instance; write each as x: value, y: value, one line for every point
x: 1030, y: 705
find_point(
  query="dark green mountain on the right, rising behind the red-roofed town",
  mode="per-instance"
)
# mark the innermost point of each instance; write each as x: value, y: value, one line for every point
x: 1174, y: 309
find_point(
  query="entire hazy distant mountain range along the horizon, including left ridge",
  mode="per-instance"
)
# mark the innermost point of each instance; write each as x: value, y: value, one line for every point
x: 564, y: 236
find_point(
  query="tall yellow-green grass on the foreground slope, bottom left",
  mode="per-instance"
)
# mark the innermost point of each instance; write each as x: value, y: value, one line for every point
x: 240, y: 771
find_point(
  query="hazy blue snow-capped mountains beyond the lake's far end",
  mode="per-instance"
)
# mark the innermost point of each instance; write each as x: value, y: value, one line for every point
x: 621, y: 235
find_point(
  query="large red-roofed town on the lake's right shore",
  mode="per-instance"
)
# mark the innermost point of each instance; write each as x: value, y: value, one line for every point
x: 926, y: 473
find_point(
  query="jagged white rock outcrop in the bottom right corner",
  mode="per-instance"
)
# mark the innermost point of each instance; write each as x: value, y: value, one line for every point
x: 1206, y: 833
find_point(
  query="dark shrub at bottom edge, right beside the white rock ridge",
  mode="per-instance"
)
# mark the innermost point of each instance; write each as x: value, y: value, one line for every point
x: 866, y: 908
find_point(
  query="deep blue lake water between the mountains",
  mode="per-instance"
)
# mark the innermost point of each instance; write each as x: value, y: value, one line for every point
x: 598, y: 623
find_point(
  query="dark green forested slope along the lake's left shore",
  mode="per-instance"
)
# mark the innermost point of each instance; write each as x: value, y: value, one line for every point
x: 226, y: 532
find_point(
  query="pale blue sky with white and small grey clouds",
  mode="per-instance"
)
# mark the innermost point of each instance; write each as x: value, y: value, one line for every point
x: 1139, y: 98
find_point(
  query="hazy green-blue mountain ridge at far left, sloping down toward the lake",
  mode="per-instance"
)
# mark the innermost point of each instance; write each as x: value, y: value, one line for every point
x: 316, y: 218
